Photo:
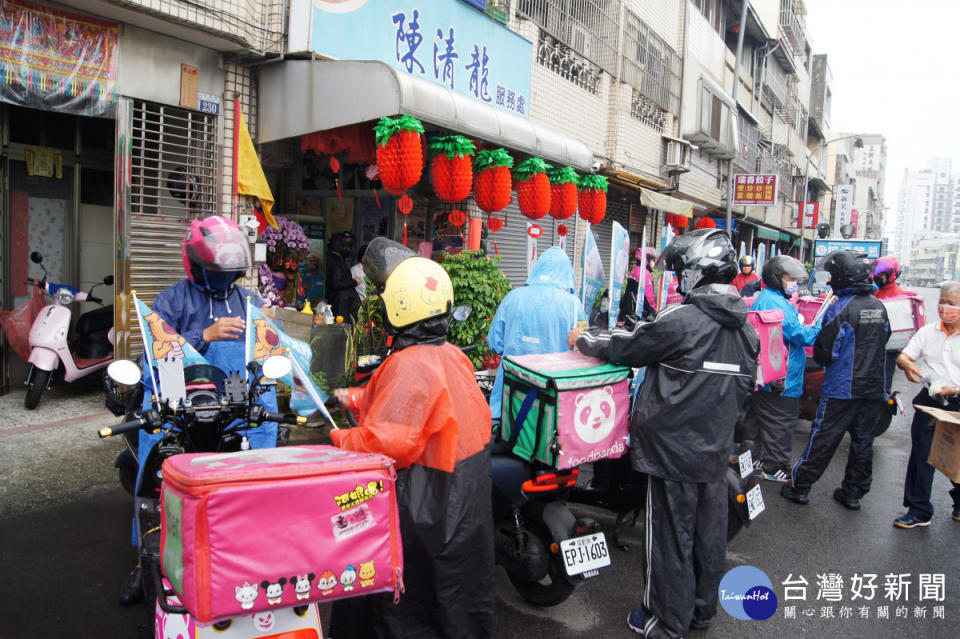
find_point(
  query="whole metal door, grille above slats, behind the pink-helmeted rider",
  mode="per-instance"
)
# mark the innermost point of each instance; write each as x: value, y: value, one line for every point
x: 167, y: 176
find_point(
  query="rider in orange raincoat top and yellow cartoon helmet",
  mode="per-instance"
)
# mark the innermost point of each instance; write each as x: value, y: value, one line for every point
x: 423, y: 408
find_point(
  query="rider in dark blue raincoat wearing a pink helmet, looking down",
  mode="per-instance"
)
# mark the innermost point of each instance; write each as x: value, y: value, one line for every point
x: 209, y: 311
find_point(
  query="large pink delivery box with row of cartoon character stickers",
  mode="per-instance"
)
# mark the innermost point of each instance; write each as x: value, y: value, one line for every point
x: 267, y: 528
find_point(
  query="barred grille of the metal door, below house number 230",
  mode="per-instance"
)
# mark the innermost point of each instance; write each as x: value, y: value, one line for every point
x: 173, y: 161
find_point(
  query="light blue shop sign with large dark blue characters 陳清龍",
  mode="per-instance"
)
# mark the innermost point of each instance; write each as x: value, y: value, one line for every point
x: 445, y: 42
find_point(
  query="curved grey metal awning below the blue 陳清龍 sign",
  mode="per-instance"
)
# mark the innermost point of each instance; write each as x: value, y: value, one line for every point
x: 305, y: 96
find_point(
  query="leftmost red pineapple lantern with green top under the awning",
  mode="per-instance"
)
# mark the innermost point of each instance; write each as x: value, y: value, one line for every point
x: 399, y: 152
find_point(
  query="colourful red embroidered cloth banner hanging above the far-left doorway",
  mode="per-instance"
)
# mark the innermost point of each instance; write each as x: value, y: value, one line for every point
x: 53, y: 59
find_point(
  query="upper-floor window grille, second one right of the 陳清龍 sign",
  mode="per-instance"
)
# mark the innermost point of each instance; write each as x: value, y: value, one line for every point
x: 650, y: 66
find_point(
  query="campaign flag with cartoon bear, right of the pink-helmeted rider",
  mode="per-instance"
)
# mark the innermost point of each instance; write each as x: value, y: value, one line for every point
x: 264, y: 339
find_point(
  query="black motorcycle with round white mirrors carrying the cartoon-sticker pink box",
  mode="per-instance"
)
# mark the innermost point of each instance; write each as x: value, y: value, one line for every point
x: 215, y: 406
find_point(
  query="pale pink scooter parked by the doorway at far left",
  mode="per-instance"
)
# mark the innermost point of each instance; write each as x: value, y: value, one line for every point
x: 90, y: 349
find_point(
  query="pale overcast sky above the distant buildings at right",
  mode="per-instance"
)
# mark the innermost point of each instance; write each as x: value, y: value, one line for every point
x: 896, y: 71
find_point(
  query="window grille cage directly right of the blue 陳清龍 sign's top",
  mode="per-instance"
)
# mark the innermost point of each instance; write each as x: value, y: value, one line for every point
x: 588, y: 27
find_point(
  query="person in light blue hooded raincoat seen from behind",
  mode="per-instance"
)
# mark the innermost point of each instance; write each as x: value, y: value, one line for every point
x: 535, y: 318
